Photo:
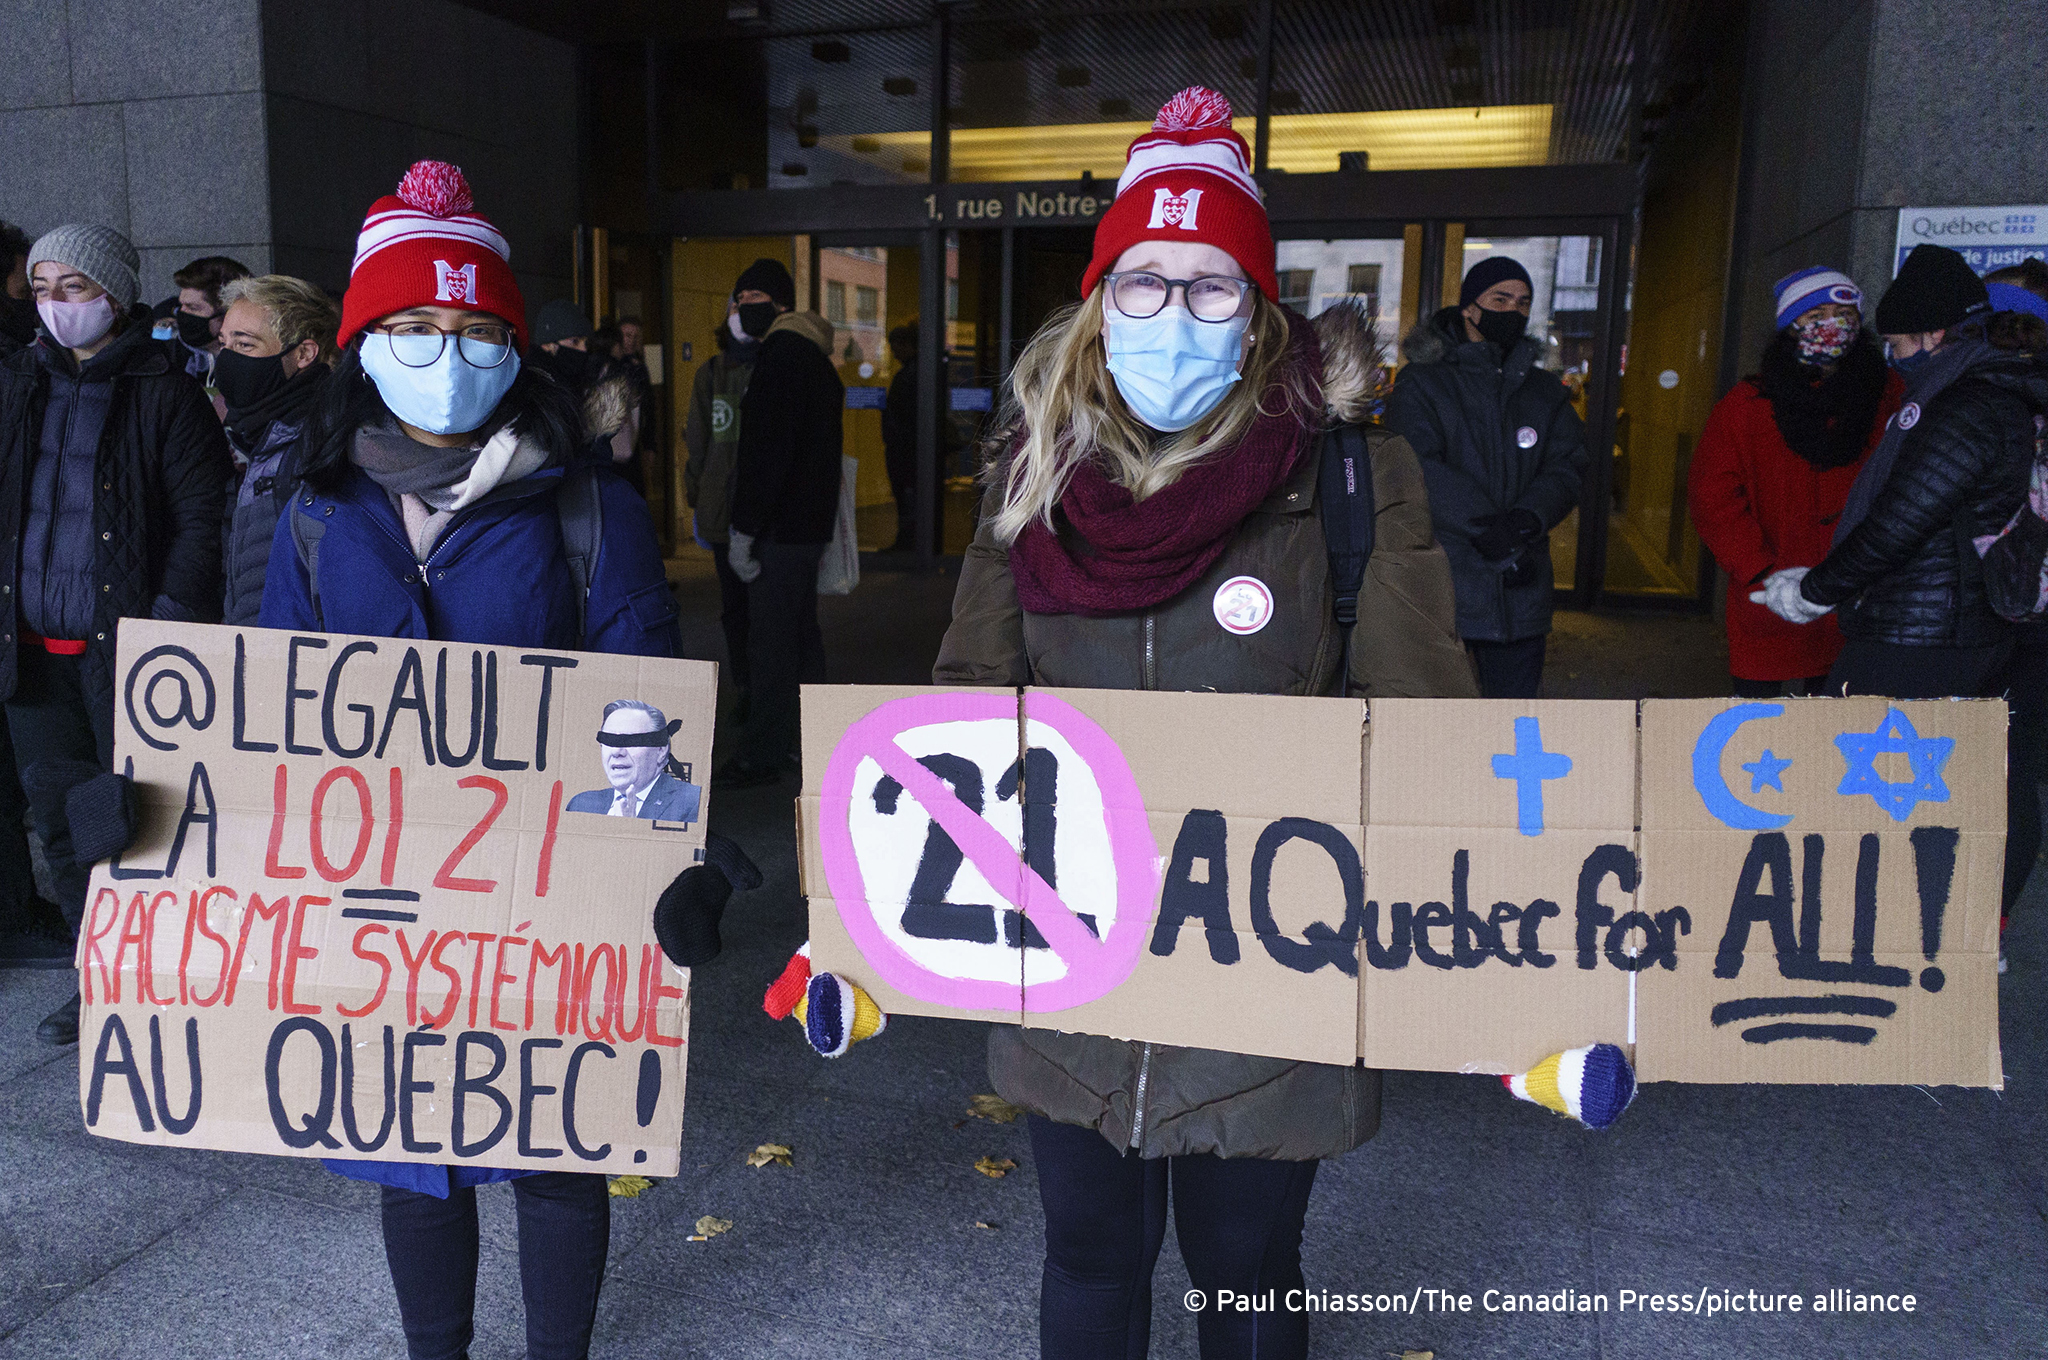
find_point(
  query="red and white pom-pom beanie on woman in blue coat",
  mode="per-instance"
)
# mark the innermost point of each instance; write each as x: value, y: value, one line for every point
x: 427, y: 247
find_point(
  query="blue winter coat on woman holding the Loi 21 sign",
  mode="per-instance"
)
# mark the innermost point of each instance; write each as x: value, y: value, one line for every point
x: 480, y: 587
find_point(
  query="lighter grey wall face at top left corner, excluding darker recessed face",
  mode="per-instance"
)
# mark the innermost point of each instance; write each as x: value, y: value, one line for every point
x: 144, y: 116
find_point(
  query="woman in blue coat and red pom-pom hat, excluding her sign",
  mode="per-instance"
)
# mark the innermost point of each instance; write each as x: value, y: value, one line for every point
x: 431, y: 497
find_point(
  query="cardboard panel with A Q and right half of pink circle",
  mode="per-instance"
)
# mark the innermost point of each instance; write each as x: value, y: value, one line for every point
x: 1232, y: 837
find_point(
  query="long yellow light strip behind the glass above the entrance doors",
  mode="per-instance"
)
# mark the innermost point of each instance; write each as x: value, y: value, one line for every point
x: 1302, y: 144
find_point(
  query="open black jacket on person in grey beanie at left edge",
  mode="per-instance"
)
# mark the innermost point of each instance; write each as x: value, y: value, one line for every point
x: 161, y: 491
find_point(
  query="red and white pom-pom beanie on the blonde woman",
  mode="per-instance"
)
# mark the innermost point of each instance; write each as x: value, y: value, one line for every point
x: 1189, y: 181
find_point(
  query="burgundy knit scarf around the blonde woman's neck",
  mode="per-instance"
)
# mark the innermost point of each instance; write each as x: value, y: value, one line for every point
x: 1115, y: 554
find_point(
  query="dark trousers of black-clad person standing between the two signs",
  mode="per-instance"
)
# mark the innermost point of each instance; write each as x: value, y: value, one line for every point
x: 785, y: 650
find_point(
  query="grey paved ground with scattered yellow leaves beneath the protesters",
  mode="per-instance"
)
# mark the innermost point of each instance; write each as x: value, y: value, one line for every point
x: 869, y: 1246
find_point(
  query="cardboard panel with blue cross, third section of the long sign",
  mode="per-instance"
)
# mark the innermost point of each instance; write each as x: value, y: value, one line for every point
x: 1500, y: 843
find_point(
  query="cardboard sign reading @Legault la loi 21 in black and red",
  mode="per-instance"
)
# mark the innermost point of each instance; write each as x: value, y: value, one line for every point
x: 392, y: 900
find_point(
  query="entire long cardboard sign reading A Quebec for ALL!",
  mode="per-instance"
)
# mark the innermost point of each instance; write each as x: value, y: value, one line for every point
x: 1453, y: 886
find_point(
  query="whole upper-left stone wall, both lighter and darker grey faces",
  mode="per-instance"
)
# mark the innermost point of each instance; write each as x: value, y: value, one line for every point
x: 265, y: 128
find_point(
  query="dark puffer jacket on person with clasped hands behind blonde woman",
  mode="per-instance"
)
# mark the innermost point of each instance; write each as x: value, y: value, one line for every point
x: 1492, y: 435
